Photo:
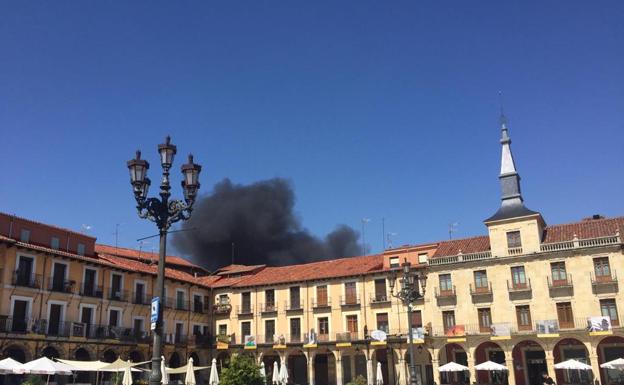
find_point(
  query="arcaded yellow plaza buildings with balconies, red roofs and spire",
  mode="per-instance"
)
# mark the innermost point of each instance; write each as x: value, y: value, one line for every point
x: 526, y: 295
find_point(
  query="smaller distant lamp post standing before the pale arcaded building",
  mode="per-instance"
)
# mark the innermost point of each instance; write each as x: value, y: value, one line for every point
x: 408, y: 294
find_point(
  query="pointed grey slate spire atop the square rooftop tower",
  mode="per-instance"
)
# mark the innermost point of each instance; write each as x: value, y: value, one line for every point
x: 512, y: 205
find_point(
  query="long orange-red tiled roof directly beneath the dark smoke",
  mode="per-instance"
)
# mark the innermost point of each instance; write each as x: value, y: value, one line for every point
x: 343, y: 267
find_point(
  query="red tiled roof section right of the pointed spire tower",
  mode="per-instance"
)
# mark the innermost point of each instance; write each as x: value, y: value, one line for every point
x: 592, y: 228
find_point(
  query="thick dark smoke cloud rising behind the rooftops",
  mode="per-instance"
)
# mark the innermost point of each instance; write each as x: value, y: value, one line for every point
x: 260, y: 221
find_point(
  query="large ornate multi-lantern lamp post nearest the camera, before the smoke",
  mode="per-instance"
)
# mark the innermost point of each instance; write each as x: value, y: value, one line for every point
x: 164, y: 212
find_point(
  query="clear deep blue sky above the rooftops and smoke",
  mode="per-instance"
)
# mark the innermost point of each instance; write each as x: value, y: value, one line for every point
x: 371, y: 109
